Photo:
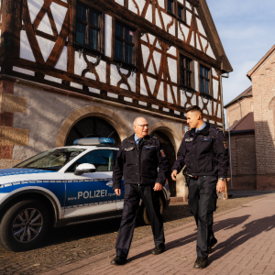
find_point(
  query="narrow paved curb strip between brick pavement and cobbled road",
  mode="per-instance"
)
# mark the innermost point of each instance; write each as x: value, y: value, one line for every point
x: 111, y: 253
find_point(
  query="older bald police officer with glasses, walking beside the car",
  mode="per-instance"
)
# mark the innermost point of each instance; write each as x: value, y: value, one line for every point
x: 144, y: 166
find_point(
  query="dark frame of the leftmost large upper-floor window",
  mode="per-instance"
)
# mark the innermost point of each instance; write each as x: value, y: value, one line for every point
x: 86, y: 21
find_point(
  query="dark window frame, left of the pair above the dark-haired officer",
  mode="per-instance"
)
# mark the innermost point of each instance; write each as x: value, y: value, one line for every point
x: 185, y: 71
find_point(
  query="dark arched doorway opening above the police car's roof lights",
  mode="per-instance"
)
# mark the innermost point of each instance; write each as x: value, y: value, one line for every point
x: 92, y: 127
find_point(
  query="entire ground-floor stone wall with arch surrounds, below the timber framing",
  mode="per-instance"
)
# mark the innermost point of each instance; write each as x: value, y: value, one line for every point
x: 48, y: 116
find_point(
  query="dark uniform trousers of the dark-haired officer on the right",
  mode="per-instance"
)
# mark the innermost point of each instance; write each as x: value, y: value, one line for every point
x: 202, y: 202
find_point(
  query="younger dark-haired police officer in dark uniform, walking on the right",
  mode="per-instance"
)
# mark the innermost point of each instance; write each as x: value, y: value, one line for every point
x: 203, y: 150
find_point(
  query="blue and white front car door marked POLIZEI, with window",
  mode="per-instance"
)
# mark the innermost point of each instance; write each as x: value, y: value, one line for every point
x: 91, y: 193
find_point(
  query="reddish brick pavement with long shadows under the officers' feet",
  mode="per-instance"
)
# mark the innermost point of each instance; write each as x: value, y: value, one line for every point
x: 246, y: 245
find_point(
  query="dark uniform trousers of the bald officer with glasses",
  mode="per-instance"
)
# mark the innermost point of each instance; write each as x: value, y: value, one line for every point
x: 132, y: 196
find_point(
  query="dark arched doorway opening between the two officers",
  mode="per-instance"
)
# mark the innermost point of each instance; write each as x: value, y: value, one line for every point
x: 169, y: 150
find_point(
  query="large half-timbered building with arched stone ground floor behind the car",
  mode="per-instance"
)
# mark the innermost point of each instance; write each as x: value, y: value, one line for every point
x: 72, y: 68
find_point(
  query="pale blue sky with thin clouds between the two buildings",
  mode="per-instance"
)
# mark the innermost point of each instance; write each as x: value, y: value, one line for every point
x: 247, y: 32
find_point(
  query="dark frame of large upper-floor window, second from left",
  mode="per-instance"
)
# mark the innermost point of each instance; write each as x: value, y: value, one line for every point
x: 125, y: 42
